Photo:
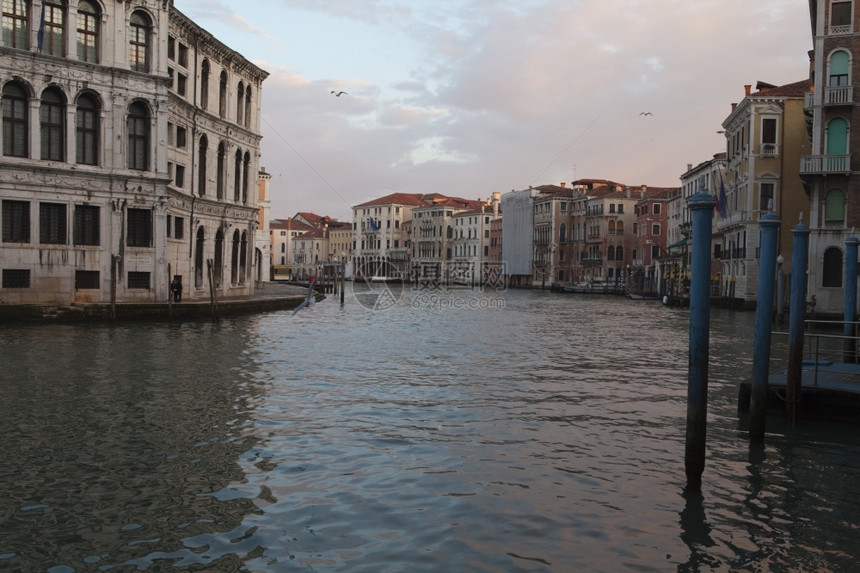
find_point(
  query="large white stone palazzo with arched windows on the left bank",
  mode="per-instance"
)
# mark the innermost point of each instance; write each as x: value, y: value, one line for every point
x: 101, y: 173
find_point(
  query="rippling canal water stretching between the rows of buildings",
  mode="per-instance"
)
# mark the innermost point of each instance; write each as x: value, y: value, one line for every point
x: 455, y: 431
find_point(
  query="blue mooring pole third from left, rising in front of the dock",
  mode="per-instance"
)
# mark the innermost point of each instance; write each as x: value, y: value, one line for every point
x: 797, y: 314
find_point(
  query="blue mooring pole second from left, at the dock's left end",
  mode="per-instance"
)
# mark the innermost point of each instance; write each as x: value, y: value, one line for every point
x: 769, y: 224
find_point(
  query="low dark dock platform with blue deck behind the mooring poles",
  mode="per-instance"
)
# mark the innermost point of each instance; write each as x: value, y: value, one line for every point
x: 829, y: 390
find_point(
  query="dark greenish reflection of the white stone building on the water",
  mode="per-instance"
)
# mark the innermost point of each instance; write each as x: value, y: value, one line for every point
x: 115, y: 436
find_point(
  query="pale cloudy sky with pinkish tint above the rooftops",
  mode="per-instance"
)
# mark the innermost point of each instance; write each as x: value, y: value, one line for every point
x: 468, y: 97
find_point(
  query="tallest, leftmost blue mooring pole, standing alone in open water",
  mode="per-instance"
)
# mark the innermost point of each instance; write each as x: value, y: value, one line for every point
x: 702, y: 207
